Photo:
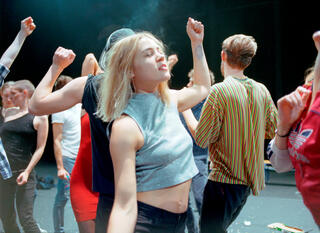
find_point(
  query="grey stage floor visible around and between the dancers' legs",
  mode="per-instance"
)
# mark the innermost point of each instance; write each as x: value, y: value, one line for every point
x: 279, y: 202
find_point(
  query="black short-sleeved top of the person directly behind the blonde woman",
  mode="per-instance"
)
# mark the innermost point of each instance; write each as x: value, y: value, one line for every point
x: 102, y: 168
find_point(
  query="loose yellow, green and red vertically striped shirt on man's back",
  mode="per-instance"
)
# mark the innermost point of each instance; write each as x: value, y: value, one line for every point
x: 236, y: 118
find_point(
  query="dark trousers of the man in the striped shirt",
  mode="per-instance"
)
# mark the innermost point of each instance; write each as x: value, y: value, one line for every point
x: 221, y: 205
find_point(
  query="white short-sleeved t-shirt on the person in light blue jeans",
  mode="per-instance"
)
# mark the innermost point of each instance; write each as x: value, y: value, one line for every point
x: 71, y: 131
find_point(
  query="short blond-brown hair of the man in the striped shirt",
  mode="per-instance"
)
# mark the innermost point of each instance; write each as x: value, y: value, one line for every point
x: 240, y: 50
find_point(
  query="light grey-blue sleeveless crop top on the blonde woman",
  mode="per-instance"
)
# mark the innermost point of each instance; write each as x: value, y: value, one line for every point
x: 166, y: 157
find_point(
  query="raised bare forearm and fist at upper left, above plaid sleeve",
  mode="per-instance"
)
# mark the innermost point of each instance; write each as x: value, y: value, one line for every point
x: 27, y: 27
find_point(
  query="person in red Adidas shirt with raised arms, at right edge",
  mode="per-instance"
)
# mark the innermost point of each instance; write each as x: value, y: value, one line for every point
x: 296, y: 143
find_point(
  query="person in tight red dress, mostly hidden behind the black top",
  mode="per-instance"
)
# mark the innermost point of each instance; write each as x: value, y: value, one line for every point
x: 83, y: 200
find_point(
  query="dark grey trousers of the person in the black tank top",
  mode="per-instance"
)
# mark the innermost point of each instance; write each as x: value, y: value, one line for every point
x: 23, y: 196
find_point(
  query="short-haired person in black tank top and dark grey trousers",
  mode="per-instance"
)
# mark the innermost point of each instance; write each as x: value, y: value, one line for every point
x: 24, y: 138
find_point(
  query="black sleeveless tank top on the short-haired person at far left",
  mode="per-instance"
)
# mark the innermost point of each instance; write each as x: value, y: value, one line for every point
x: 19, y: 140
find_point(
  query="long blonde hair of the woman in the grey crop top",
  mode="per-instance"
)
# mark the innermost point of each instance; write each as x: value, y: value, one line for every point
x: 116, y: 87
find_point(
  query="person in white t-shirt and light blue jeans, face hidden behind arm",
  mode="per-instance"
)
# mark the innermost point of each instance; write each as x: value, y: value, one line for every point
x: 66, y: 129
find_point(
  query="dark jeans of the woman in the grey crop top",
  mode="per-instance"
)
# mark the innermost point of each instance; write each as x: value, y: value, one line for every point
x: 154, y: 220
